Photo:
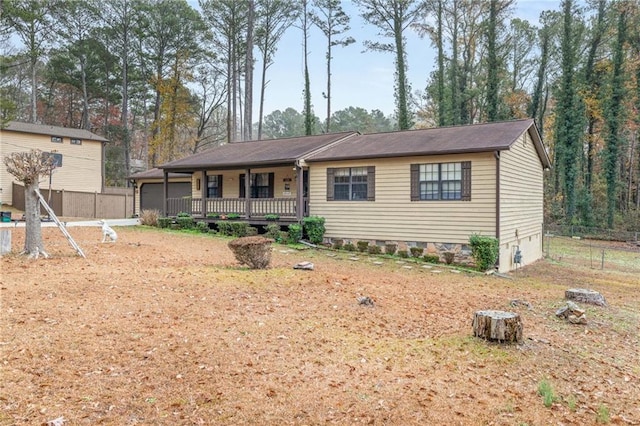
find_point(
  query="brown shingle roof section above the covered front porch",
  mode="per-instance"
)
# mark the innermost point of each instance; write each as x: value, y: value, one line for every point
x: 255, y: 153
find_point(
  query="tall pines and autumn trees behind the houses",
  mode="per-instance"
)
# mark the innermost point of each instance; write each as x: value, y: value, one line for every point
x: 162, y: 79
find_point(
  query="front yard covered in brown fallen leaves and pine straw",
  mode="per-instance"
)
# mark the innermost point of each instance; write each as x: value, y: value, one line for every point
x: 165, y: 328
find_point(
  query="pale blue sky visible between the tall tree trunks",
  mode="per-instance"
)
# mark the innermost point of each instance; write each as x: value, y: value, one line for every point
x: 361, y: 79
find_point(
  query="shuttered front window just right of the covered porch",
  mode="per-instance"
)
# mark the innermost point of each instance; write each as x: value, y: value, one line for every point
x: 351, y: 184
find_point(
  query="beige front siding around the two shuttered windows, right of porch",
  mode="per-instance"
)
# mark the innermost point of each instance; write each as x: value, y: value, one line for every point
x: 394, y: 217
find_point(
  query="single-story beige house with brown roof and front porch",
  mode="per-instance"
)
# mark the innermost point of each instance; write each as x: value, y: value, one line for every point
x: 429, y: 188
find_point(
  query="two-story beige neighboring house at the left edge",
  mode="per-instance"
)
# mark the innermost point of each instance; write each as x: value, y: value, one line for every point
x: 79, y: 156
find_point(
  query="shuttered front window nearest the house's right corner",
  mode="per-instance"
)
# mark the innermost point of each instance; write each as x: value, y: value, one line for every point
x: 441, y: 181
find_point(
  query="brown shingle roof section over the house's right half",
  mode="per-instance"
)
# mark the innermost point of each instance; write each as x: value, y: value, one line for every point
x: 442, y: 140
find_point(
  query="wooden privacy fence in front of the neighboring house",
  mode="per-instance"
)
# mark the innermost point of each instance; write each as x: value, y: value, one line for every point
x: 83, y: 204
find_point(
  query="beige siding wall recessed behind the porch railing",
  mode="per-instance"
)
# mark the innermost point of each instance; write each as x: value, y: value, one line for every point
x: 231, y: 181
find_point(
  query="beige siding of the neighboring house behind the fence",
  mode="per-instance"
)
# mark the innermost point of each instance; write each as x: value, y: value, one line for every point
x: 81, y: 164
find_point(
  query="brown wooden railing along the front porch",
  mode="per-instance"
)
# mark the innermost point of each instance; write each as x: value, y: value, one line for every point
x: 284, y: 207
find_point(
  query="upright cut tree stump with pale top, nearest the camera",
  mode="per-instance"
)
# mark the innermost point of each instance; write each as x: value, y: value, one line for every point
x: 498, y: 325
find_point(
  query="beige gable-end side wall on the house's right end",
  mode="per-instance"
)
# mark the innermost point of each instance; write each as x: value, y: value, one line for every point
x: 521, y: 203
